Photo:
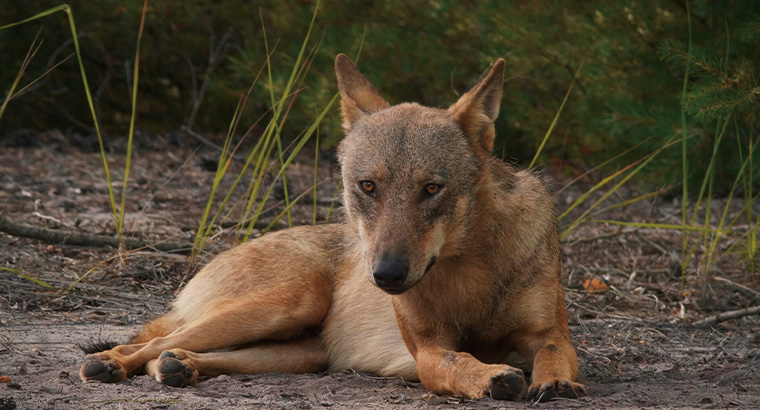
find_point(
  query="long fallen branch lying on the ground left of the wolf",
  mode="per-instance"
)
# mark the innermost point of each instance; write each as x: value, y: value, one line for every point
x: 84, y: 239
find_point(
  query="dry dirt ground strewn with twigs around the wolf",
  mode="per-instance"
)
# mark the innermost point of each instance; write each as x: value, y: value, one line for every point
x: 635, y: 339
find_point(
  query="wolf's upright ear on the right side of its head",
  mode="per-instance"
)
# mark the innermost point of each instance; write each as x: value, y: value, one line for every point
x: 478, y: 108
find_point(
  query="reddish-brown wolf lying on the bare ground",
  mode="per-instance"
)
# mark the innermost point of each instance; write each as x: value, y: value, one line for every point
x: 447, y: 264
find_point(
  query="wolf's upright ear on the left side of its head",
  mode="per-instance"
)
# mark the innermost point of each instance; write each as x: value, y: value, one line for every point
x: 357, y: 96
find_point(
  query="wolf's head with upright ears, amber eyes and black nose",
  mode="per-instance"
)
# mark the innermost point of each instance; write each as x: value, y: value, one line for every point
x: 409, y: 173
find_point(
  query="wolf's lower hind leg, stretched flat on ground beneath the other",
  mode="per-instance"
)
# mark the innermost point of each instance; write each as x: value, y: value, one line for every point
x: 179, y: 367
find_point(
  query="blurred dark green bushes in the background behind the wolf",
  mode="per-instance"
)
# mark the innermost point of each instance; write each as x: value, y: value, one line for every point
x: 429, y: 51
